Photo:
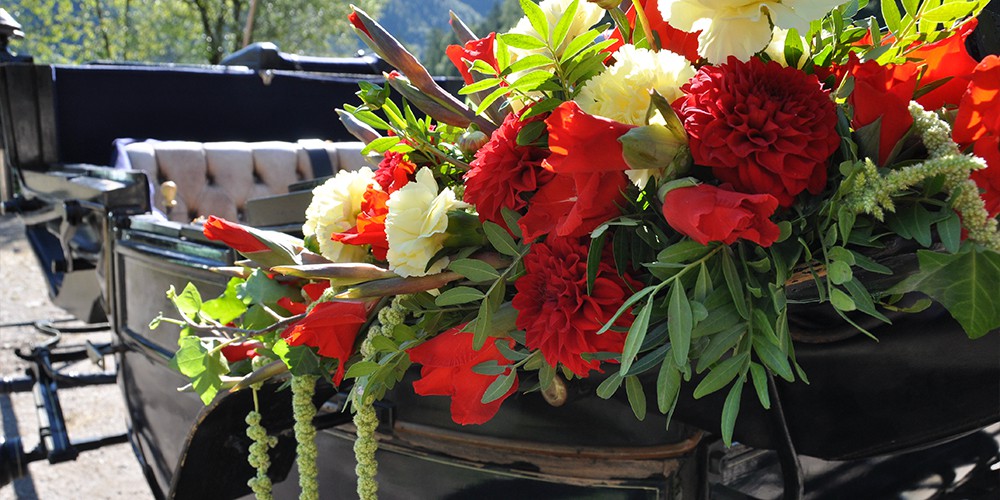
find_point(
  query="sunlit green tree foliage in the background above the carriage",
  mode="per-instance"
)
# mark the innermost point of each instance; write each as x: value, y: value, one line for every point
x: 186, y: 31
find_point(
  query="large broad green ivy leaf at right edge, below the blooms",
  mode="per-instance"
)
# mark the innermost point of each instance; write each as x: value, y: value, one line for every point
x: 965, y: 283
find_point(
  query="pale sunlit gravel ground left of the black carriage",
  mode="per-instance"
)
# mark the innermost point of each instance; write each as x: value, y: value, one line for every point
x: 111, y: 472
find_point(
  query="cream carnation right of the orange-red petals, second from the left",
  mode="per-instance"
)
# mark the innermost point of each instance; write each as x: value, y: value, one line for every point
x: 416, y: 224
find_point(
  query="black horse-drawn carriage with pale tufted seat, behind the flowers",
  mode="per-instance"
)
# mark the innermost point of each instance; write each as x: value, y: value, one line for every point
x: 109, y: 165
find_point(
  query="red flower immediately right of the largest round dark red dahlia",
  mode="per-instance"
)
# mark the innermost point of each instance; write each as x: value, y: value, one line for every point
x: 882, y: 92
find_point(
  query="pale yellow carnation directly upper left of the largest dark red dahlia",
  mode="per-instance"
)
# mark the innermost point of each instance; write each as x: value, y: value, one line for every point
x: 621, y: 93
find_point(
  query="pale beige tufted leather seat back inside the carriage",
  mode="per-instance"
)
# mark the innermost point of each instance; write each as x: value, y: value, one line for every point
x: 217, y: 178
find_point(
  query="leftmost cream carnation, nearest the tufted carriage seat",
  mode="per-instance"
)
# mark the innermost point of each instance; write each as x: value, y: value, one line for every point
x: 334, y: 209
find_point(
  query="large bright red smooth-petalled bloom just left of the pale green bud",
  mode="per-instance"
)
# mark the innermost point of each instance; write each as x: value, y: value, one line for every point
x: 590, y: 175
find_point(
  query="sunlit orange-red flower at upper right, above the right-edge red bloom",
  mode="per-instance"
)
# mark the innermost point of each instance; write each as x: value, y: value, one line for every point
x: 946, y: 58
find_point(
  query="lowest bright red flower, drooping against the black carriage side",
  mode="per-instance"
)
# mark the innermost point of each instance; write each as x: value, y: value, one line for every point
x: 447, y: 361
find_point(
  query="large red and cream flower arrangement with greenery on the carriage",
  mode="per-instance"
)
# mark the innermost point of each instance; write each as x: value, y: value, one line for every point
x: 631, y: 201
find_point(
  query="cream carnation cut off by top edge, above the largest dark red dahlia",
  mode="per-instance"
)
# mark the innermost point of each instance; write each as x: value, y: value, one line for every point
x: 740, y: 28
